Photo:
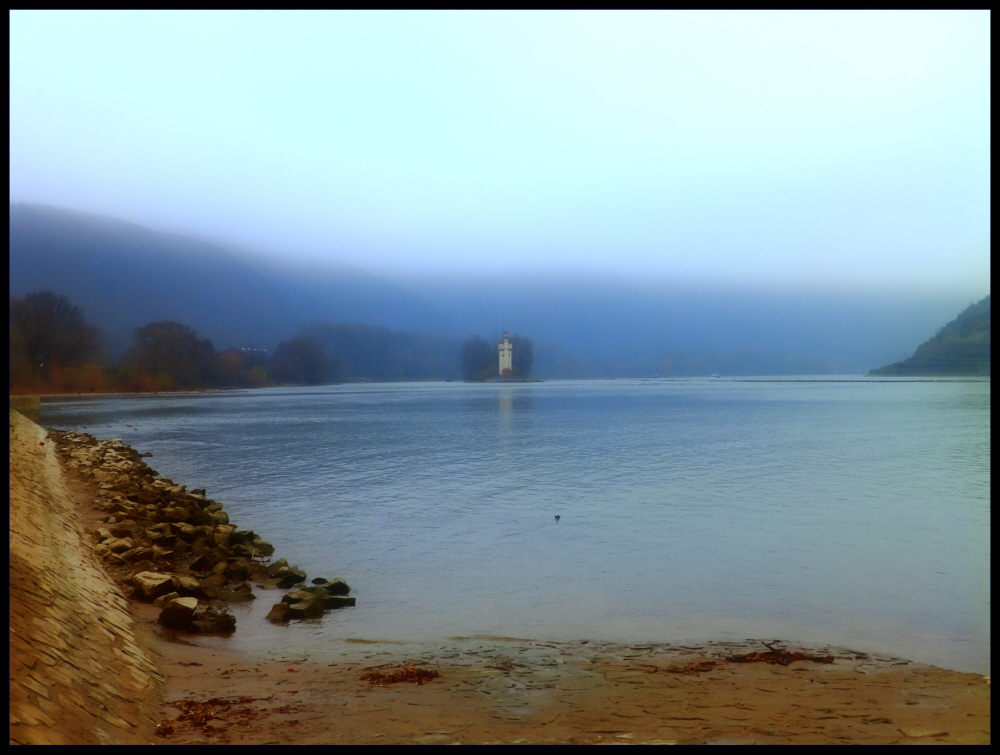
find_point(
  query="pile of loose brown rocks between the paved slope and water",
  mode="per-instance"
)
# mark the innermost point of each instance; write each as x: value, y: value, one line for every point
x: 177, y: 549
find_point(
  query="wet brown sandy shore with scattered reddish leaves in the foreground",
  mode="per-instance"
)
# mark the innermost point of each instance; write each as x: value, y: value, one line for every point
x: 493, y: 690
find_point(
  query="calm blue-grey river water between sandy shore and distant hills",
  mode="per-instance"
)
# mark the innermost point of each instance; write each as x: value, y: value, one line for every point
x: 838, y: 512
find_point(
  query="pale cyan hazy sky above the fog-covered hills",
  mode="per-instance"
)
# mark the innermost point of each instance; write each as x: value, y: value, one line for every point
x: 849, y: 148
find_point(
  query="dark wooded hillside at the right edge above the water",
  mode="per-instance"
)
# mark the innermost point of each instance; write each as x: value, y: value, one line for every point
x: 962, y: 347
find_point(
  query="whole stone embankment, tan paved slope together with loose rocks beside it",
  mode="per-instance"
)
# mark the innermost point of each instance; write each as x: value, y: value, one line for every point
x: 82, y: 668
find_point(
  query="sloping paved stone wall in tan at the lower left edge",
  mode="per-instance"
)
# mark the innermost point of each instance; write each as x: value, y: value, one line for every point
x: 81, y: 670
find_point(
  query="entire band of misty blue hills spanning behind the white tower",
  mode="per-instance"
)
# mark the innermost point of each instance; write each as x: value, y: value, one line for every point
x: 124, y: 276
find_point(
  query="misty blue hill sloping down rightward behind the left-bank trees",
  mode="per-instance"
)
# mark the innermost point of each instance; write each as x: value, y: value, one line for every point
x: 124, y: 276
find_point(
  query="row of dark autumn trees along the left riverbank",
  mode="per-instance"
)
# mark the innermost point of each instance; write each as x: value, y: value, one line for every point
x: 53, y: 349
